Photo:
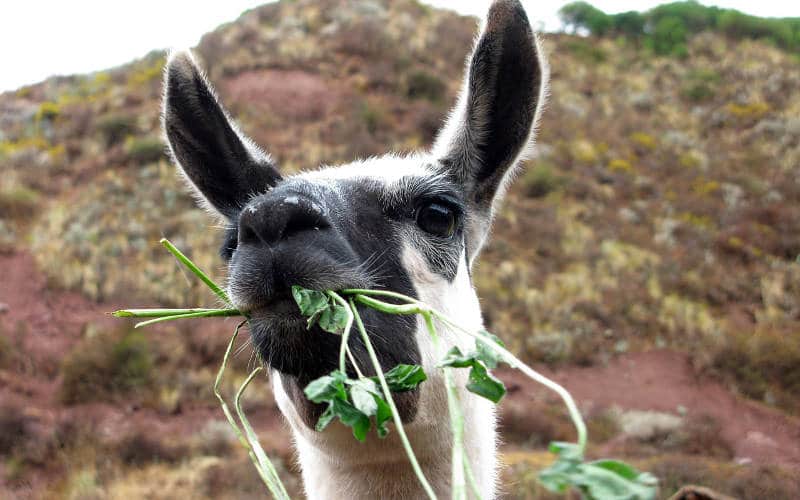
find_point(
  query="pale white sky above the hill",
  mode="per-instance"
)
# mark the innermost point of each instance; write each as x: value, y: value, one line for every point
x: 41, y: 38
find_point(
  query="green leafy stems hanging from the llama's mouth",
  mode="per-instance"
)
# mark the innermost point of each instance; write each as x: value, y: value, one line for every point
x: 356, y: 402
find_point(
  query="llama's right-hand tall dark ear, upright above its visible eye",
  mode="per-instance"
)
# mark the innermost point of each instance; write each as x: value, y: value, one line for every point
x: 492, y: 126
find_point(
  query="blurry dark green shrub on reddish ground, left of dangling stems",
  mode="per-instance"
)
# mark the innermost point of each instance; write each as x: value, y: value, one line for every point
x: 105, y: 366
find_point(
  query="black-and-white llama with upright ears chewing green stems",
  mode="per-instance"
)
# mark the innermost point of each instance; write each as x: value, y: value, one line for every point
x: 413, y: 224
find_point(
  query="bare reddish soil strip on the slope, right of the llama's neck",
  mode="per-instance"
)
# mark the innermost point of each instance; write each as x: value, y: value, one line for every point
x: 664, y: 381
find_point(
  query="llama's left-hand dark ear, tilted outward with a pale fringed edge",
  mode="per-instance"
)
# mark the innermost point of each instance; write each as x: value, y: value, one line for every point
x: 224, y: 167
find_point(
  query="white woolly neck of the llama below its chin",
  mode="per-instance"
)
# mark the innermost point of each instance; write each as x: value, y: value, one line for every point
x: 337, y: 466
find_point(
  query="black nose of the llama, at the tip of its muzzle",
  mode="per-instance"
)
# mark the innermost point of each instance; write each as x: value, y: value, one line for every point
x: 276, y: 219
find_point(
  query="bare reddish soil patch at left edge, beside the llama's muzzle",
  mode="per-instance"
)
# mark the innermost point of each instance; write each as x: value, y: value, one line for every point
x: 45, y: 324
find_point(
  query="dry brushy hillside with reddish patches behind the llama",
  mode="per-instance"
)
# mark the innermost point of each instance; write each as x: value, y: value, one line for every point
x: 661, y: 215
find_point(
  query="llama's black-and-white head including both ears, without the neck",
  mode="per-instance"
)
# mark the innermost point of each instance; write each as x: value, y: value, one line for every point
x: 412, y: 224
